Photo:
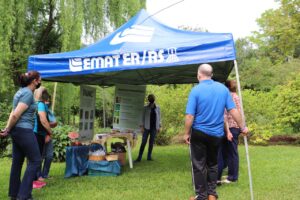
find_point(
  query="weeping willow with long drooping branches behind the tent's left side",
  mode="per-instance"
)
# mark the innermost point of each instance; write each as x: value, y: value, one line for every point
x: 48, y: 26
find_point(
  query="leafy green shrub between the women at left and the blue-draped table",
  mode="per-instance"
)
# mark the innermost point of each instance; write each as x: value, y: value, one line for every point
x: 61, y: 141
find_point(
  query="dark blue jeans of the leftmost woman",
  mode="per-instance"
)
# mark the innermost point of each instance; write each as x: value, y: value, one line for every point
x: 24, y: 144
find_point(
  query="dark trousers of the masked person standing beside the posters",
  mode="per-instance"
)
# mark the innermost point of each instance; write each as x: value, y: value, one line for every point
x: 146, y: 133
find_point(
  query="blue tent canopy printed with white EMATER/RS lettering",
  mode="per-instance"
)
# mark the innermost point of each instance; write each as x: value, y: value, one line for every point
x: 142, y: 51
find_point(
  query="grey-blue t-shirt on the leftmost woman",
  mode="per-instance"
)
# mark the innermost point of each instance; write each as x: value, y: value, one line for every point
x: 25, y: 95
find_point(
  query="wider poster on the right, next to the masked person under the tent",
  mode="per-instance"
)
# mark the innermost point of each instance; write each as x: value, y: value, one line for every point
x: 128, y: 107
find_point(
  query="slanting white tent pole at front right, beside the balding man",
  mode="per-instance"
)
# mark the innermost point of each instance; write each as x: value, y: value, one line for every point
x: 245, y: 137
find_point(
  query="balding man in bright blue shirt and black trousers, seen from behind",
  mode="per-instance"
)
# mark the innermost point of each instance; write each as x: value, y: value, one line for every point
x: 204, y: 128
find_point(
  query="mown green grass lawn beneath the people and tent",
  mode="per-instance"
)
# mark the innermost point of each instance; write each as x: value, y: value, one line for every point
x: 275, y: 170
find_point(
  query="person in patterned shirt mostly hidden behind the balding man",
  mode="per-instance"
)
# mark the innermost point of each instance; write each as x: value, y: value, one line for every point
x: 229, y: 150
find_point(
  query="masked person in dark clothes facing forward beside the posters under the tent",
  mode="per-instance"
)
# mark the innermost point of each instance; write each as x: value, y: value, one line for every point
x: 151, y: 125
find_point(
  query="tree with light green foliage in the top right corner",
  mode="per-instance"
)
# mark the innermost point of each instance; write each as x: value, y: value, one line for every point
x: 279, y: 34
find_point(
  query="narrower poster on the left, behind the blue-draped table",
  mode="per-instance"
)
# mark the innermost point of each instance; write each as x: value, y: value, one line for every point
x: 87, y: 112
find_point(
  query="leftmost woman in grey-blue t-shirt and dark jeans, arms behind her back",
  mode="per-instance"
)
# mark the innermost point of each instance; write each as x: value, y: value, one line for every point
x: 24, y: 143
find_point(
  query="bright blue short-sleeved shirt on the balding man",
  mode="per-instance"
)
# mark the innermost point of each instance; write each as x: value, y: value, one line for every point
x: 207, y: 102
